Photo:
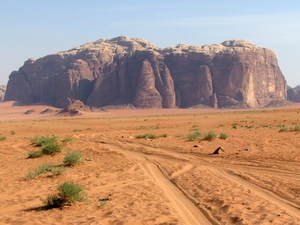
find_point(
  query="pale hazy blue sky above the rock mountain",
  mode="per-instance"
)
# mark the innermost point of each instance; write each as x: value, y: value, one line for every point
x: 35, y: 28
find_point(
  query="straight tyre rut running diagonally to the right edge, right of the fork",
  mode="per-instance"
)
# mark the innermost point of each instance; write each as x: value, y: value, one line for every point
x: 287, y: 205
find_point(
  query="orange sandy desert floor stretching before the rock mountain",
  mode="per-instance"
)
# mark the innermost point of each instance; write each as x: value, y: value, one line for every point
x: 167, y: 180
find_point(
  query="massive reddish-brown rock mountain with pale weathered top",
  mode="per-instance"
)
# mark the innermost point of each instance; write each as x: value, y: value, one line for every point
x: 133, y: 71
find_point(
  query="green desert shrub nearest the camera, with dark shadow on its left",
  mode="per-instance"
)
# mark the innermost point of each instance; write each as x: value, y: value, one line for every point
x: 68, y: 193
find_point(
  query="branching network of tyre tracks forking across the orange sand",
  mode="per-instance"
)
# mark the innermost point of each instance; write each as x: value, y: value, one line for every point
x: 149, y: 160
